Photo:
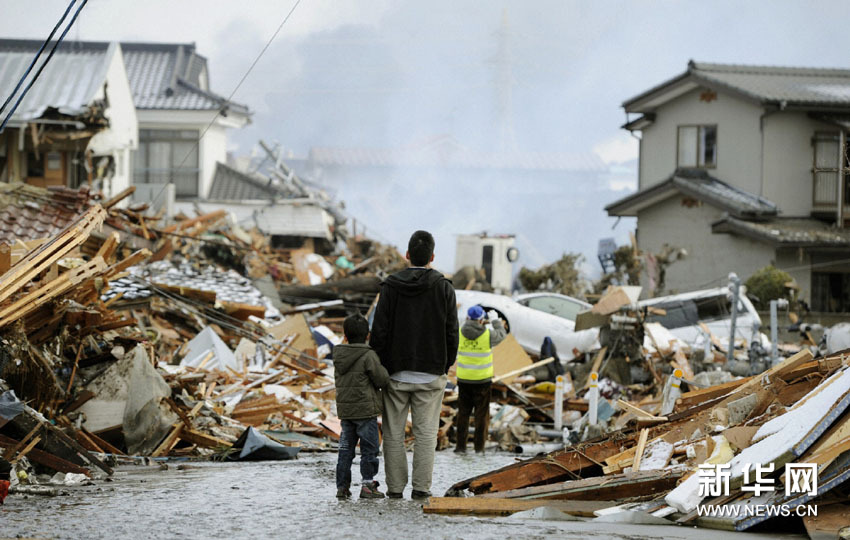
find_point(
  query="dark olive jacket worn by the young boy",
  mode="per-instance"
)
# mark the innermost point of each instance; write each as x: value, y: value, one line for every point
x: 358, y: 374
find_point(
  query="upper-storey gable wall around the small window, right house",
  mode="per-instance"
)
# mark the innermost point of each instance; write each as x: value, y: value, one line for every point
x: 738, y: 139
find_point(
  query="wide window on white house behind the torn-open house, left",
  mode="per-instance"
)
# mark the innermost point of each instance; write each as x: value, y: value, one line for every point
x: 168, y: 156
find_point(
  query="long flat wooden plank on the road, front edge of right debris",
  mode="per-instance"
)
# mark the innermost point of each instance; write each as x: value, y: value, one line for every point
x: 480, y: 506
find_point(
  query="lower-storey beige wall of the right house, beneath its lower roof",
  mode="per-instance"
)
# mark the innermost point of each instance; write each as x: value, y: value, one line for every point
x: 710, y: 257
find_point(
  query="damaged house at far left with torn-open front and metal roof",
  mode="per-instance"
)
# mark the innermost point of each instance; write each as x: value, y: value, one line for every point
x: 76, y: 125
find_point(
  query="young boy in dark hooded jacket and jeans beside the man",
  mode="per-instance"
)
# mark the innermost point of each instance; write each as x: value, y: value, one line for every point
x: 358, y: 376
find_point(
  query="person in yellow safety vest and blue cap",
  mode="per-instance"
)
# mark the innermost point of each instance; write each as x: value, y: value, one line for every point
x: 475, y: 375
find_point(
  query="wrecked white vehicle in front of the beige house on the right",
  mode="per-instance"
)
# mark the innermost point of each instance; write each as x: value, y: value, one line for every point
x: 713, y: 307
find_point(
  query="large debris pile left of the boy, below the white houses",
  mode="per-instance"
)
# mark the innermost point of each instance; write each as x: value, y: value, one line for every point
x: 123, y: 338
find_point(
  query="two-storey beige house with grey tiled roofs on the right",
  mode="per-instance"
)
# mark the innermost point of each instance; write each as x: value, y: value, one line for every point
x: 745, y: 166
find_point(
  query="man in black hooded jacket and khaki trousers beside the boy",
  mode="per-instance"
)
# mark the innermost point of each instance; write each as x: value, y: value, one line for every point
x: 415, y: 333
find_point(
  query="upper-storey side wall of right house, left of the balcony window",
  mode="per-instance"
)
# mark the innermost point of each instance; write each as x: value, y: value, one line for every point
x: 788, y: 159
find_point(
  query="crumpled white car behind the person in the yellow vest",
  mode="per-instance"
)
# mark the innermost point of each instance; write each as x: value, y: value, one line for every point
x: 532, y: 317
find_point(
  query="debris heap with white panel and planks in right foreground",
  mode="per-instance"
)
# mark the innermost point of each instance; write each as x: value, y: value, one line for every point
x: 752, y: 435
